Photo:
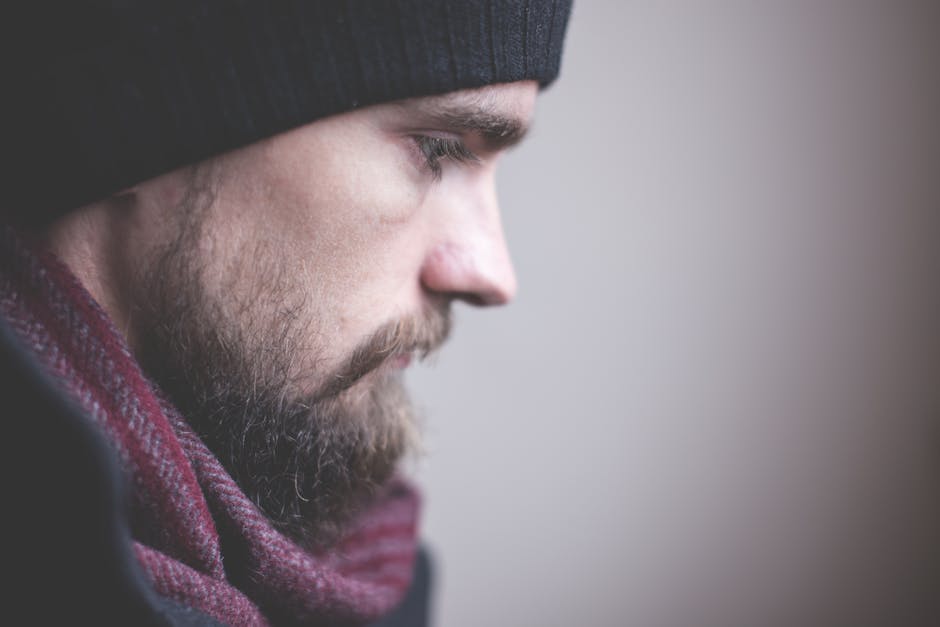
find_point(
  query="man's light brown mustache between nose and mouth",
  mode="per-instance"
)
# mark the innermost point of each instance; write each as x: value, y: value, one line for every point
x: 417, y: 335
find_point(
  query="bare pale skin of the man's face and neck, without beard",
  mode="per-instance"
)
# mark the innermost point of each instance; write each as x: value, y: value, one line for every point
x: 371, y: 232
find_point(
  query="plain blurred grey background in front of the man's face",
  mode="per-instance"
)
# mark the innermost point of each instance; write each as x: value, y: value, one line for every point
x: 716, y: 400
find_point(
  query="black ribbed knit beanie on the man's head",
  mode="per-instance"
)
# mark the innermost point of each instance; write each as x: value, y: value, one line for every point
x: 105, y: 94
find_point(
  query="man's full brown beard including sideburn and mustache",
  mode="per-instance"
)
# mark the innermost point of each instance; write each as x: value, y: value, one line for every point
x: 309, y: 447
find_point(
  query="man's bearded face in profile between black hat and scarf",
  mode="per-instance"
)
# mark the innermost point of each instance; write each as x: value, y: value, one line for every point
x: 276, y: 293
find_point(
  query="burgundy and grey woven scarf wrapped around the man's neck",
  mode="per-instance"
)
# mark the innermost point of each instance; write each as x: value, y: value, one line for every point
x: 198, y: 538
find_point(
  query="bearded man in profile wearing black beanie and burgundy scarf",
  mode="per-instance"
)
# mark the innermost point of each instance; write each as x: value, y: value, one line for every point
x: 232, y: 225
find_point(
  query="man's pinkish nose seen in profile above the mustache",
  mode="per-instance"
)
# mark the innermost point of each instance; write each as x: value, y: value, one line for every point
x: 470, y: 261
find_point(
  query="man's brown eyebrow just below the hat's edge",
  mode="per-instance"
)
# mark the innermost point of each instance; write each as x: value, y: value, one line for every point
x: 499, y: 130
